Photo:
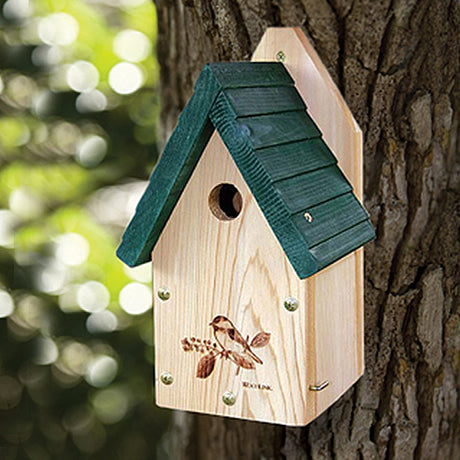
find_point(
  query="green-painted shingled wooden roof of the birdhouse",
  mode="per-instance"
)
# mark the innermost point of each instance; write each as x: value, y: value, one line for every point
x: 278, y: 149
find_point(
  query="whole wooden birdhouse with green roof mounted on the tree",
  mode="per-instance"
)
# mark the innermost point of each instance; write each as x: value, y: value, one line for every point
x: 253, y: 223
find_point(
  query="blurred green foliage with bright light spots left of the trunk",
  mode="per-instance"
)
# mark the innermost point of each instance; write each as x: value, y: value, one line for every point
x: 78, y: 106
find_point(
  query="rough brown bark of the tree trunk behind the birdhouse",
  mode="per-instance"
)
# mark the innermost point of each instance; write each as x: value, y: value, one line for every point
x: 397, y: 64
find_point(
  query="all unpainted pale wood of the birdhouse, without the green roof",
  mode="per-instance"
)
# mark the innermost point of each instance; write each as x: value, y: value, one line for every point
x: 238, y: 269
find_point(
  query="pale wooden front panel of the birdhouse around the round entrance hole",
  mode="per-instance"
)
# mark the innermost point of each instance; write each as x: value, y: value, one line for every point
x: 237, y: 269
